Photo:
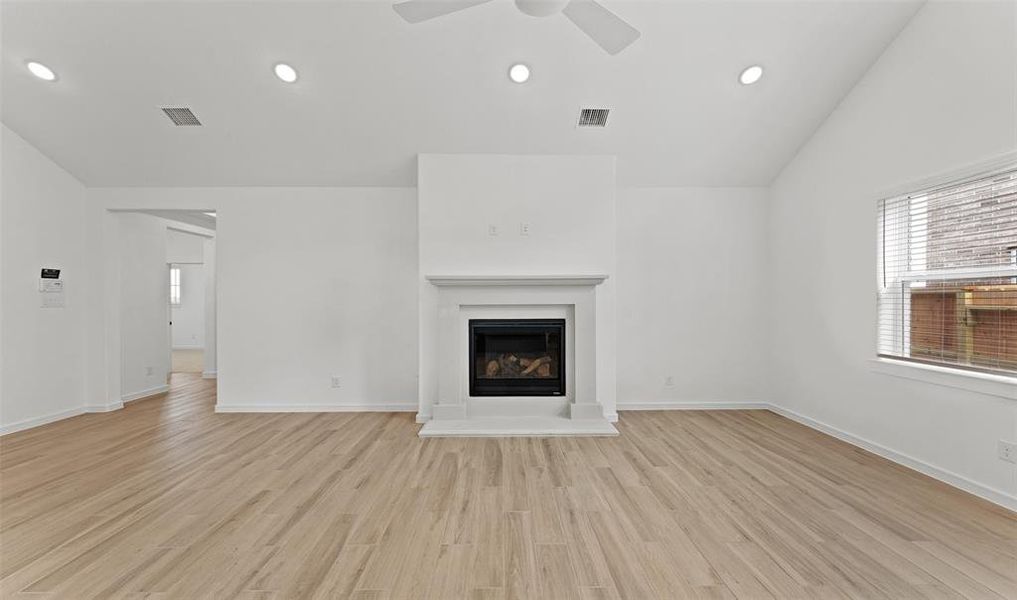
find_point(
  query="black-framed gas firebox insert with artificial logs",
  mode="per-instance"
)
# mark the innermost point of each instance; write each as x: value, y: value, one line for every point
x: 518, y: 357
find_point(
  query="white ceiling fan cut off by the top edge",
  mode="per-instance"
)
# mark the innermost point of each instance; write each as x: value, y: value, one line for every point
x: 606, y: 28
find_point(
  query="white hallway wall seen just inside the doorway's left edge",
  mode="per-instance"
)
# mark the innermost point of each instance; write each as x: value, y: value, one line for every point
x: 144, y: 306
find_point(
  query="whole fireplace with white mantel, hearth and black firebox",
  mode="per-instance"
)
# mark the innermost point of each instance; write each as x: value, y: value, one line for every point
x: 471, y: 321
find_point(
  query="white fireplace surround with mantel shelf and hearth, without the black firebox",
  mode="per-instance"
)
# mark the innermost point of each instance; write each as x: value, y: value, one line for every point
x: 448, y: 309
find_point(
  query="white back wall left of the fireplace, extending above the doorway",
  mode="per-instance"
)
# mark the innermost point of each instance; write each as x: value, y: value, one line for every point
x: 312, y: 283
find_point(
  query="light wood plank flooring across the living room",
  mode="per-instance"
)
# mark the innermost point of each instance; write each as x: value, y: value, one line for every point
x: 167, y: 500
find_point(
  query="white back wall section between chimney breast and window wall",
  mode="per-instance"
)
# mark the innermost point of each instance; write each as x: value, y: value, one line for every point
x: 691, y: 280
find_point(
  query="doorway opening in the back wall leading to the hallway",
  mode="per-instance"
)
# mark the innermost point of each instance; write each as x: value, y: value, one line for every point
x: 166, y: 276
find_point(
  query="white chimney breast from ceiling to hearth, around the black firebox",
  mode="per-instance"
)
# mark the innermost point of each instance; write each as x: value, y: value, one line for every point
x: 571, y: 201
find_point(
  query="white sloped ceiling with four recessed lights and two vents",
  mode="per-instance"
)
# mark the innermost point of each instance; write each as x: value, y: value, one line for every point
x: 375, y: 91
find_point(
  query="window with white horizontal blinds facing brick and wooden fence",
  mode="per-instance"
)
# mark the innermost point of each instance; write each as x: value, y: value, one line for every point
x: 948, y: 275
